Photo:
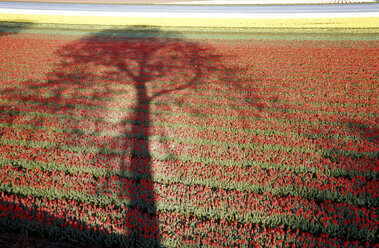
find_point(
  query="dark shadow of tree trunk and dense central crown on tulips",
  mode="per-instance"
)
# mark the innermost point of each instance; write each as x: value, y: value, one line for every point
x: 144, y: 63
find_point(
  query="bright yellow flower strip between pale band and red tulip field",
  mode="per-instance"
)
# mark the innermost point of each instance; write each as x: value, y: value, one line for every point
x: 353, y: 25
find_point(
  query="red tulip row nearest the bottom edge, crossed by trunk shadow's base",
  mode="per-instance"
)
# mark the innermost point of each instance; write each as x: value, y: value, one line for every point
x: 174, y: 228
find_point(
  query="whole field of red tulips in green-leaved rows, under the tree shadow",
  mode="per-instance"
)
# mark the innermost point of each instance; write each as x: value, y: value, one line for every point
x: 164, y: 140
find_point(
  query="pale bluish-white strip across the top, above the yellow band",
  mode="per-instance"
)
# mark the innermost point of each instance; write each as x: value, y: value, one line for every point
x: 194, y: 11
